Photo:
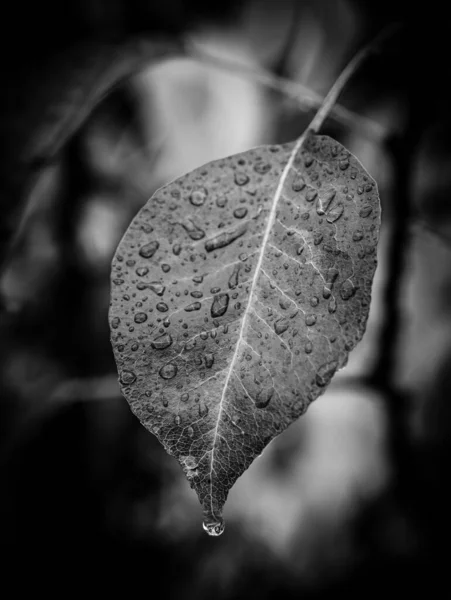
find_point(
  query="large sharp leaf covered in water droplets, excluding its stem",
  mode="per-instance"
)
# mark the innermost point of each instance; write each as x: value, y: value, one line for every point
x: 237, y: 293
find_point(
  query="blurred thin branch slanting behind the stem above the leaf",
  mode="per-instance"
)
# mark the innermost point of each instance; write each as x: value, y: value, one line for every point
x: 305, y: 98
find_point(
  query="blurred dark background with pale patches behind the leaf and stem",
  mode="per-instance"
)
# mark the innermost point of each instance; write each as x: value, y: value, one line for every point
x: 352, y: 498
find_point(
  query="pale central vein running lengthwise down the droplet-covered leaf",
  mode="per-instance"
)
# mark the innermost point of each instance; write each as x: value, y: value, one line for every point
x: 271, y: 218
